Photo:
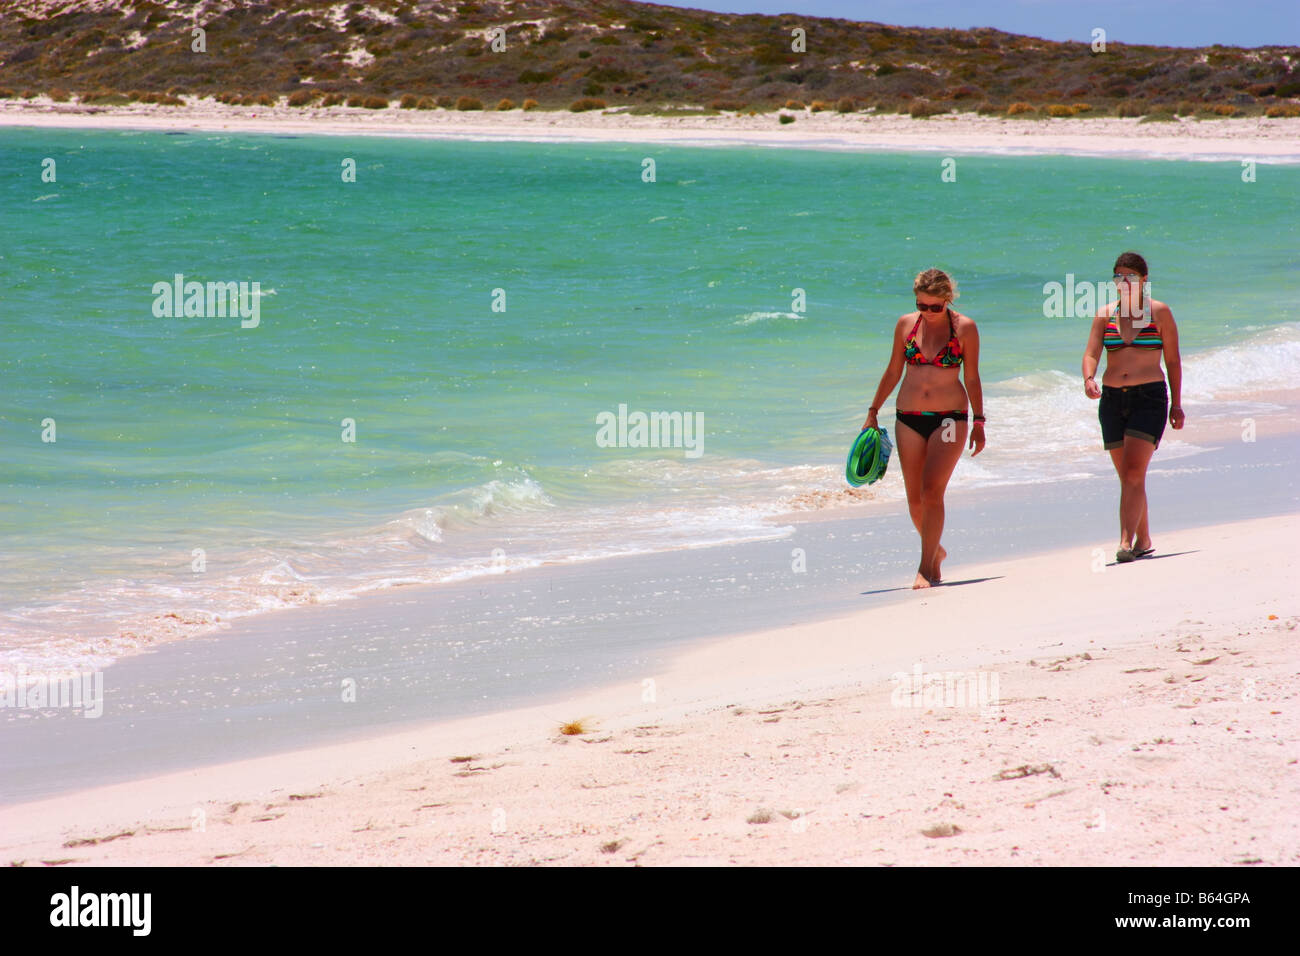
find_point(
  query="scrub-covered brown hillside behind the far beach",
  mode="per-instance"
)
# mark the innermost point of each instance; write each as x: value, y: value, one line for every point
x: 574, y: 54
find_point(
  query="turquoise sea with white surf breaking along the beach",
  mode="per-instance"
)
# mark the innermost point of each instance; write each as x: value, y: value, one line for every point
x: 476, y: 430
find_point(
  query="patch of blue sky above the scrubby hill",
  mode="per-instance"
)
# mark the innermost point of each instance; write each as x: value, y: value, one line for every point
x: 1163, y: 23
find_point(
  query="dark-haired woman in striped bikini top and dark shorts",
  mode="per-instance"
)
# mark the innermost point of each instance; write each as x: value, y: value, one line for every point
x: 1136, y: 335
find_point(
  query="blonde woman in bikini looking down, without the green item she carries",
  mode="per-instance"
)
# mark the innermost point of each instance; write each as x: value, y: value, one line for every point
x: 938, y: 349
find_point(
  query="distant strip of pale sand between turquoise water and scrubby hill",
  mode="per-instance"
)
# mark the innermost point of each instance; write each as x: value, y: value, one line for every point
x: 1259, y: 139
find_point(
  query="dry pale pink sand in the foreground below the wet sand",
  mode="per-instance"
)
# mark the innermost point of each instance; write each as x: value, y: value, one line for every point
x: 1121, y: 704
